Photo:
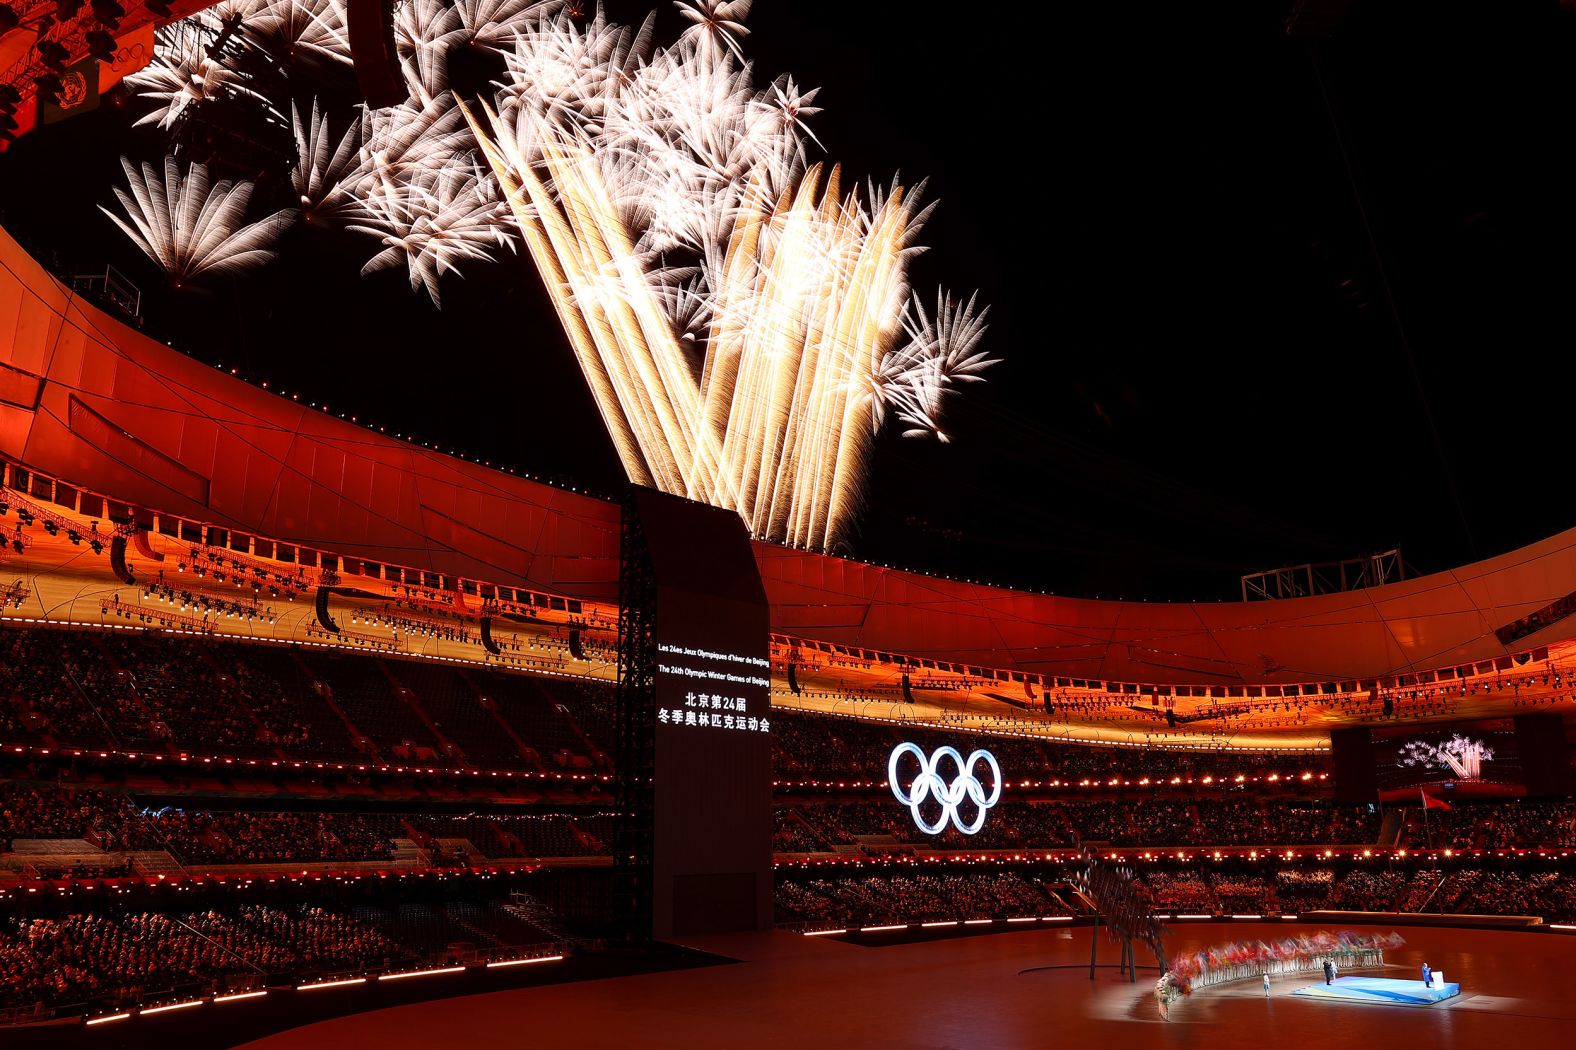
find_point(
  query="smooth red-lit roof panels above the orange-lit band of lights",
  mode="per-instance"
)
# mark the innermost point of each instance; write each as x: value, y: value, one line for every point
x: 98, y: 404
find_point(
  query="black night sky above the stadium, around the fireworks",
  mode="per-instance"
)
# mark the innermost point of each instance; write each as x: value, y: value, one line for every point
x: 1258, y: 302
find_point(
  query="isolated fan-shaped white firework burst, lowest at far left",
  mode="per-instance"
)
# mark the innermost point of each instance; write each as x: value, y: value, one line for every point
x: 190, y: 228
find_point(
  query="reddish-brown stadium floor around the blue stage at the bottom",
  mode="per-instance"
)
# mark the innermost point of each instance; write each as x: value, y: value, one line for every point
x: 1022, y: 989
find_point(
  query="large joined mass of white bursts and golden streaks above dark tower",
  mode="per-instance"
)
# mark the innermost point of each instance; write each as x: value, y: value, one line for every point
x: 745, y: 321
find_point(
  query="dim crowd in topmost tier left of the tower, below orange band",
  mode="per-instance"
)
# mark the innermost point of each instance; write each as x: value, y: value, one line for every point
x: 220, y: 698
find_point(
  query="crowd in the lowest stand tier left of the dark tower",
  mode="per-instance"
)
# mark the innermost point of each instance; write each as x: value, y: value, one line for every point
x: 97, y: 953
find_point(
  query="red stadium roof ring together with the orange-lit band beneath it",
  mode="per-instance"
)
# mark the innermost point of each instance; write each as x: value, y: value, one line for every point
x: 193, y: 466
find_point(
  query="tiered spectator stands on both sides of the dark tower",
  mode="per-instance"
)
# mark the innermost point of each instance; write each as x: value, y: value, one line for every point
x: 220, y: 758
